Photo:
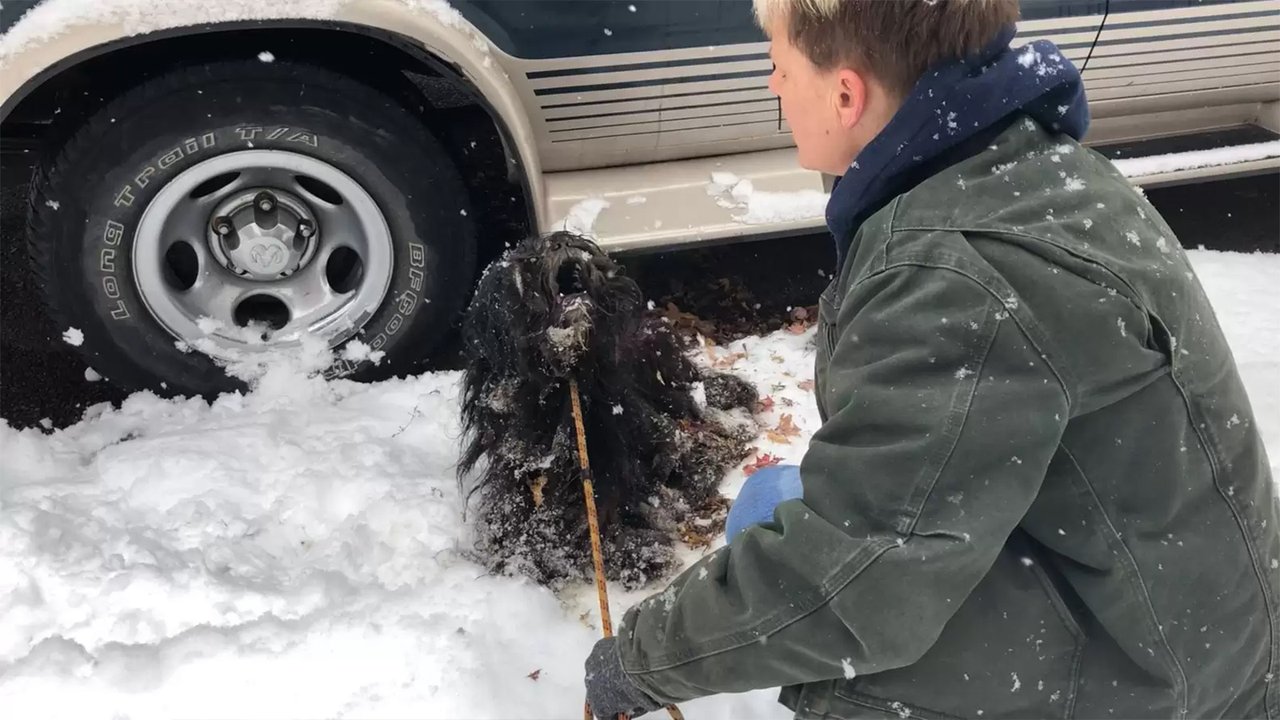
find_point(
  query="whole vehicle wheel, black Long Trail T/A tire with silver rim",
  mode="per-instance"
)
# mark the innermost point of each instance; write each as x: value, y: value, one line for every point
x: 221, y: 211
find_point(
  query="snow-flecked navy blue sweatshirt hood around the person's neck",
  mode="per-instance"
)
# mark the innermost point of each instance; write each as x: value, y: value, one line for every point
x: 954, y: 111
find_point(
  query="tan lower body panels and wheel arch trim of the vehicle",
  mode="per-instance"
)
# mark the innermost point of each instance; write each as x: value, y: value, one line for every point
x: 579, y: 142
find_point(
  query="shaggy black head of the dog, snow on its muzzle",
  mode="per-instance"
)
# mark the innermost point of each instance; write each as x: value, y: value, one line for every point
x: 566, y: 294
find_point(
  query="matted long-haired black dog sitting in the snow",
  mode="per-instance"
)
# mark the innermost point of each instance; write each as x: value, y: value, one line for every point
x: 554, y: 308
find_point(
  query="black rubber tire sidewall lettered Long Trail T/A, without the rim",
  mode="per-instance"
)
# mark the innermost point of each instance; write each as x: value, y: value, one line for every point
x: 408, y: 175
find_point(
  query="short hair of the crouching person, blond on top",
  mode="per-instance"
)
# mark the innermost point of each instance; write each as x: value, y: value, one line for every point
x: 893, y: 40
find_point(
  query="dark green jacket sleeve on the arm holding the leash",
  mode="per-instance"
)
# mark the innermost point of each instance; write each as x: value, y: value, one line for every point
x: 943, y: 422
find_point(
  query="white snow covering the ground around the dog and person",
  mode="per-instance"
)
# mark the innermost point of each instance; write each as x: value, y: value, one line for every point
x: 300, y: 552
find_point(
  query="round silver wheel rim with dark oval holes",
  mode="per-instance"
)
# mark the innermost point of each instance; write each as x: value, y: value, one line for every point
x: 257, y: 249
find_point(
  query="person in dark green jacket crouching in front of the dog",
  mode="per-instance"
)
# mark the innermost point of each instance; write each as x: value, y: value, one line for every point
x: 1039, y: 490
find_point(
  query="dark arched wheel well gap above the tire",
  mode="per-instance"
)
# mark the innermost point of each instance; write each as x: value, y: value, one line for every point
x: 446, y: 104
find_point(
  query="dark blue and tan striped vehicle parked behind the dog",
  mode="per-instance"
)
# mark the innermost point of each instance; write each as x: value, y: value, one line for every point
x: 217, y: 179
